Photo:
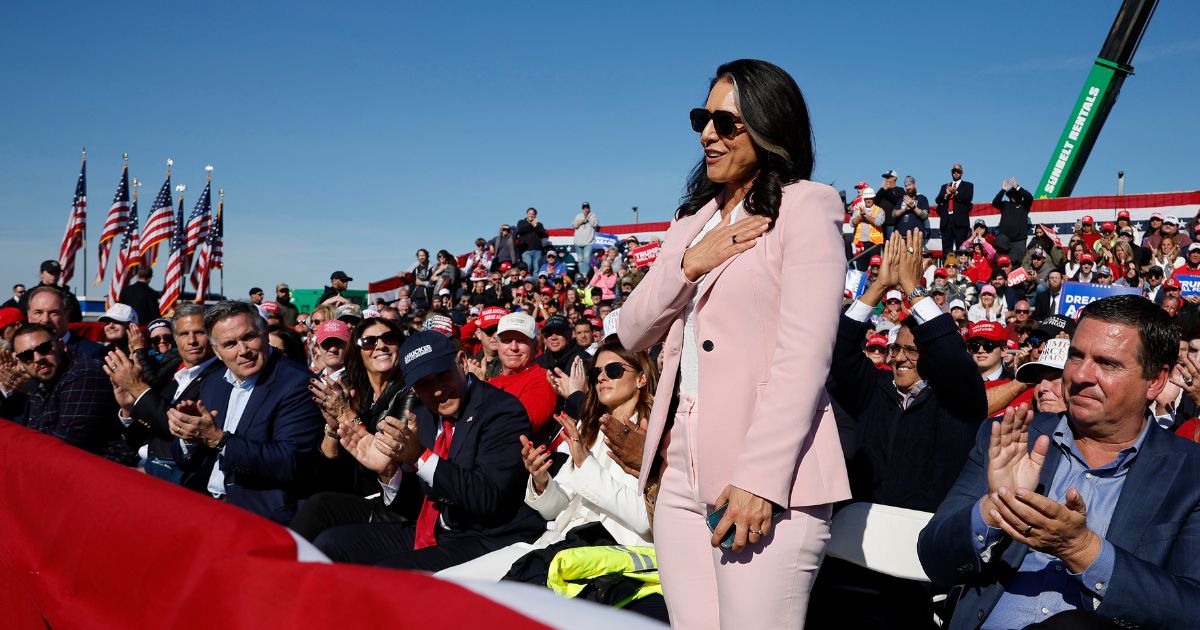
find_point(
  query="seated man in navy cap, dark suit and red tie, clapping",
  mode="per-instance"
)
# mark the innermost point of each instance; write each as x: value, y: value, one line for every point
x: 463, y: 447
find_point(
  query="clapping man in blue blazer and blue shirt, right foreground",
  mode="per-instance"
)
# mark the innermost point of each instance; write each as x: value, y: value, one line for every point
x: 1090, y: 519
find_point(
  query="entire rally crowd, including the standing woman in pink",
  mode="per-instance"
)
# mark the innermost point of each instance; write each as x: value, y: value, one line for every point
x: 675, y: 440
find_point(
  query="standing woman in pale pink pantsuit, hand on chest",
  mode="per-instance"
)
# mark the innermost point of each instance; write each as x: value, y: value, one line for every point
x: 746, y: 297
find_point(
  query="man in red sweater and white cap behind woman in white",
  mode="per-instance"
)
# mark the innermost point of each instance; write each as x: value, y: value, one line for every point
x: 520, y: 376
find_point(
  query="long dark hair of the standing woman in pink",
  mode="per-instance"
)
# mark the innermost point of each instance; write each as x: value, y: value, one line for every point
x: 777, y: 118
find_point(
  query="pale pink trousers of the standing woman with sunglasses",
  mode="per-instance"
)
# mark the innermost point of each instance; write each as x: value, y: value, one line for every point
x: 765, y: 586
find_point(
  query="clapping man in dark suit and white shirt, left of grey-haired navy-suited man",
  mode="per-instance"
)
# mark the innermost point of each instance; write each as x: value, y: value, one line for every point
x: 145, y: 409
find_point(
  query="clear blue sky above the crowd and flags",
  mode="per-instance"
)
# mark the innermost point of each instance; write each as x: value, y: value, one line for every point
x: 349, y: 135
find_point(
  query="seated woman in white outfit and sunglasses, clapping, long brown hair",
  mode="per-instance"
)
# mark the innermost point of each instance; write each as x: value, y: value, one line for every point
x: 591, y: 487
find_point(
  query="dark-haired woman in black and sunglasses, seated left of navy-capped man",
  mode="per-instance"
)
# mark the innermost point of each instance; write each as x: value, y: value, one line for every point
x: 371, y: 389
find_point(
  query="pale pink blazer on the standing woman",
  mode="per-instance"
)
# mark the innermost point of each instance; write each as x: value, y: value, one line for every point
x: 766, y: 327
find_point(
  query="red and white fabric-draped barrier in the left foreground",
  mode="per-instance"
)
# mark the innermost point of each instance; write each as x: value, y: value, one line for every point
x: 88, y: 544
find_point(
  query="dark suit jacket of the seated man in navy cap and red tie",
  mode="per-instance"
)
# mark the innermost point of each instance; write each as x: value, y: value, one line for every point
x: 482, y: 484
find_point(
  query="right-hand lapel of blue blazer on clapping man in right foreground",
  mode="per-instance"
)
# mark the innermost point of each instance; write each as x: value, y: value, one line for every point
x: 1153, y: 475
